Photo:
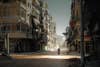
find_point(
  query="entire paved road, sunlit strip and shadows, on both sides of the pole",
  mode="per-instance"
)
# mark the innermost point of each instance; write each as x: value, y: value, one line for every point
x: 44, y: 59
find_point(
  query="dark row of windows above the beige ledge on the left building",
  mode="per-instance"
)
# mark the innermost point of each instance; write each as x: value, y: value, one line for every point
x: 10, y: 27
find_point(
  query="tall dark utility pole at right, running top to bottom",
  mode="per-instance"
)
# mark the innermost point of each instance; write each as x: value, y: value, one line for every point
x: 82, y: 34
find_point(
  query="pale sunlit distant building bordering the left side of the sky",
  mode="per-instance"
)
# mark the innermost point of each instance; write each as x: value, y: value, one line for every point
x: 51, y: 35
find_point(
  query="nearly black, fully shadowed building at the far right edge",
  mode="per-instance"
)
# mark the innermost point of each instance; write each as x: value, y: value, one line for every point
x: 93, y: 24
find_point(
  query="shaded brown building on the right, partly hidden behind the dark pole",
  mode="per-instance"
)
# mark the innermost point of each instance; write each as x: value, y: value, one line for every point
x: 75, y: 25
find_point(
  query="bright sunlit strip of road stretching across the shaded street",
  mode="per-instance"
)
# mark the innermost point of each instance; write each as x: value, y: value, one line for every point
x: 44, y: 56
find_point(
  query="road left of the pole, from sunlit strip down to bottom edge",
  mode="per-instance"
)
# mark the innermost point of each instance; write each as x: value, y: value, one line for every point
x: 33, y: 61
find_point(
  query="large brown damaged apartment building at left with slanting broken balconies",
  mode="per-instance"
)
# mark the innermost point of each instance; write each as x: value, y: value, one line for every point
x: 19, y: 20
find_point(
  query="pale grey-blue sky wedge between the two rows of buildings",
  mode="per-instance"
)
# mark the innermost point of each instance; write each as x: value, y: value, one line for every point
x: 60, y: 10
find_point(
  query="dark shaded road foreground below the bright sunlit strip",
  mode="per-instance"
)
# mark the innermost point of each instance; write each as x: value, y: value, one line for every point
x: 43, y: 62
